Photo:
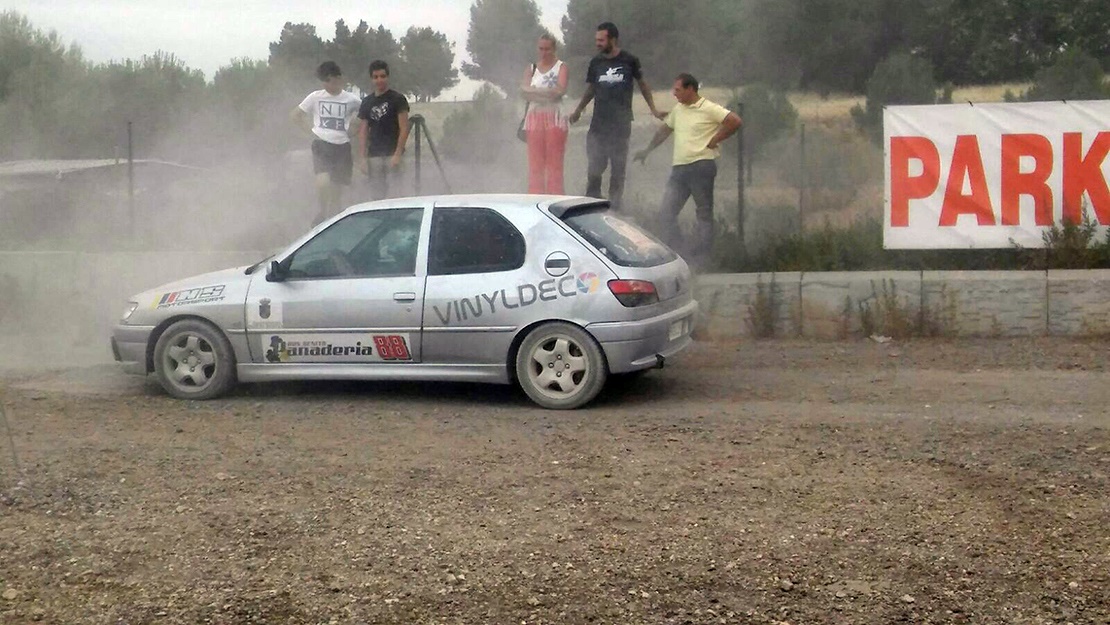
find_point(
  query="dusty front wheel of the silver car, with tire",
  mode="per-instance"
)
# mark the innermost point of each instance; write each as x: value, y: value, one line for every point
x: 195, y: 361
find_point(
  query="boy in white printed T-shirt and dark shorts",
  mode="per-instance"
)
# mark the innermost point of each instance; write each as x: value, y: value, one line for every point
x: 328, y: 115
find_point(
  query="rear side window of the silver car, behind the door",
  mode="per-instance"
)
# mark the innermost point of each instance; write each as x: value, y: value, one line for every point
x: 473, y: 241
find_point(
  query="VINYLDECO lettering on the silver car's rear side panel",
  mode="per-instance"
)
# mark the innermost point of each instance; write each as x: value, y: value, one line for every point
x: 522, y: 297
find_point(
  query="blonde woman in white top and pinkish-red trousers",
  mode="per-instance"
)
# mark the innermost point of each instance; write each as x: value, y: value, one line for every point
x: 543, y: 87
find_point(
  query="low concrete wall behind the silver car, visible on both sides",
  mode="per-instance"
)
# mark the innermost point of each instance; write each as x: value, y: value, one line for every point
x: 78, y: 297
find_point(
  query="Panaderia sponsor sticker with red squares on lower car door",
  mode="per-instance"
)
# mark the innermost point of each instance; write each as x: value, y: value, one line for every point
x: 336, y: 348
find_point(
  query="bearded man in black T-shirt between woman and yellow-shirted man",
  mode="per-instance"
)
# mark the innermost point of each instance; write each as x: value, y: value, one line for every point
x: 610, y: 84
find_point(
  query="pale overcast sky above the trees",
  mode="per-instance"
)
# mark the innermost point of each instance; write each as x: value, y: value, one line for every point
x: 208, y: 34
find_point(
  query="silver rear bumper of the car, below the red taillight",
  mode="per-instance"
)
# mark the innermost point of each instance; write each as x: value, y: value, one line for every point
x: 632, y: 346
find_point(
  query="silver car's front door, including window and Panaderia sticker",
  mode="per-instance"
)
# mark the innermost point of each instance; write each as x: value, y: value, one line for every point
x: 352, y: 295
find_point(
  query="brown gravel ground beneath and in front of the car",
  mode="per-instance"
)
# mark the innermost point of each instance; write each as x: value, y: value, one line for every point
x: 759, y: 482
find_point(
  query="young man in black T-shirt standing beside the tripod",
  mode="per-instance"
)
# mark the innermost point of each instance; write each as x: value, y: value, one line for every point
x: 382, y: 133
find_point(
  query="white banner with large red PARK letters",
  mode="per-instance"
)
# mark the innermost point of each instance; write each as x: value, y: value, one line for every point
x: 993, y: 176
